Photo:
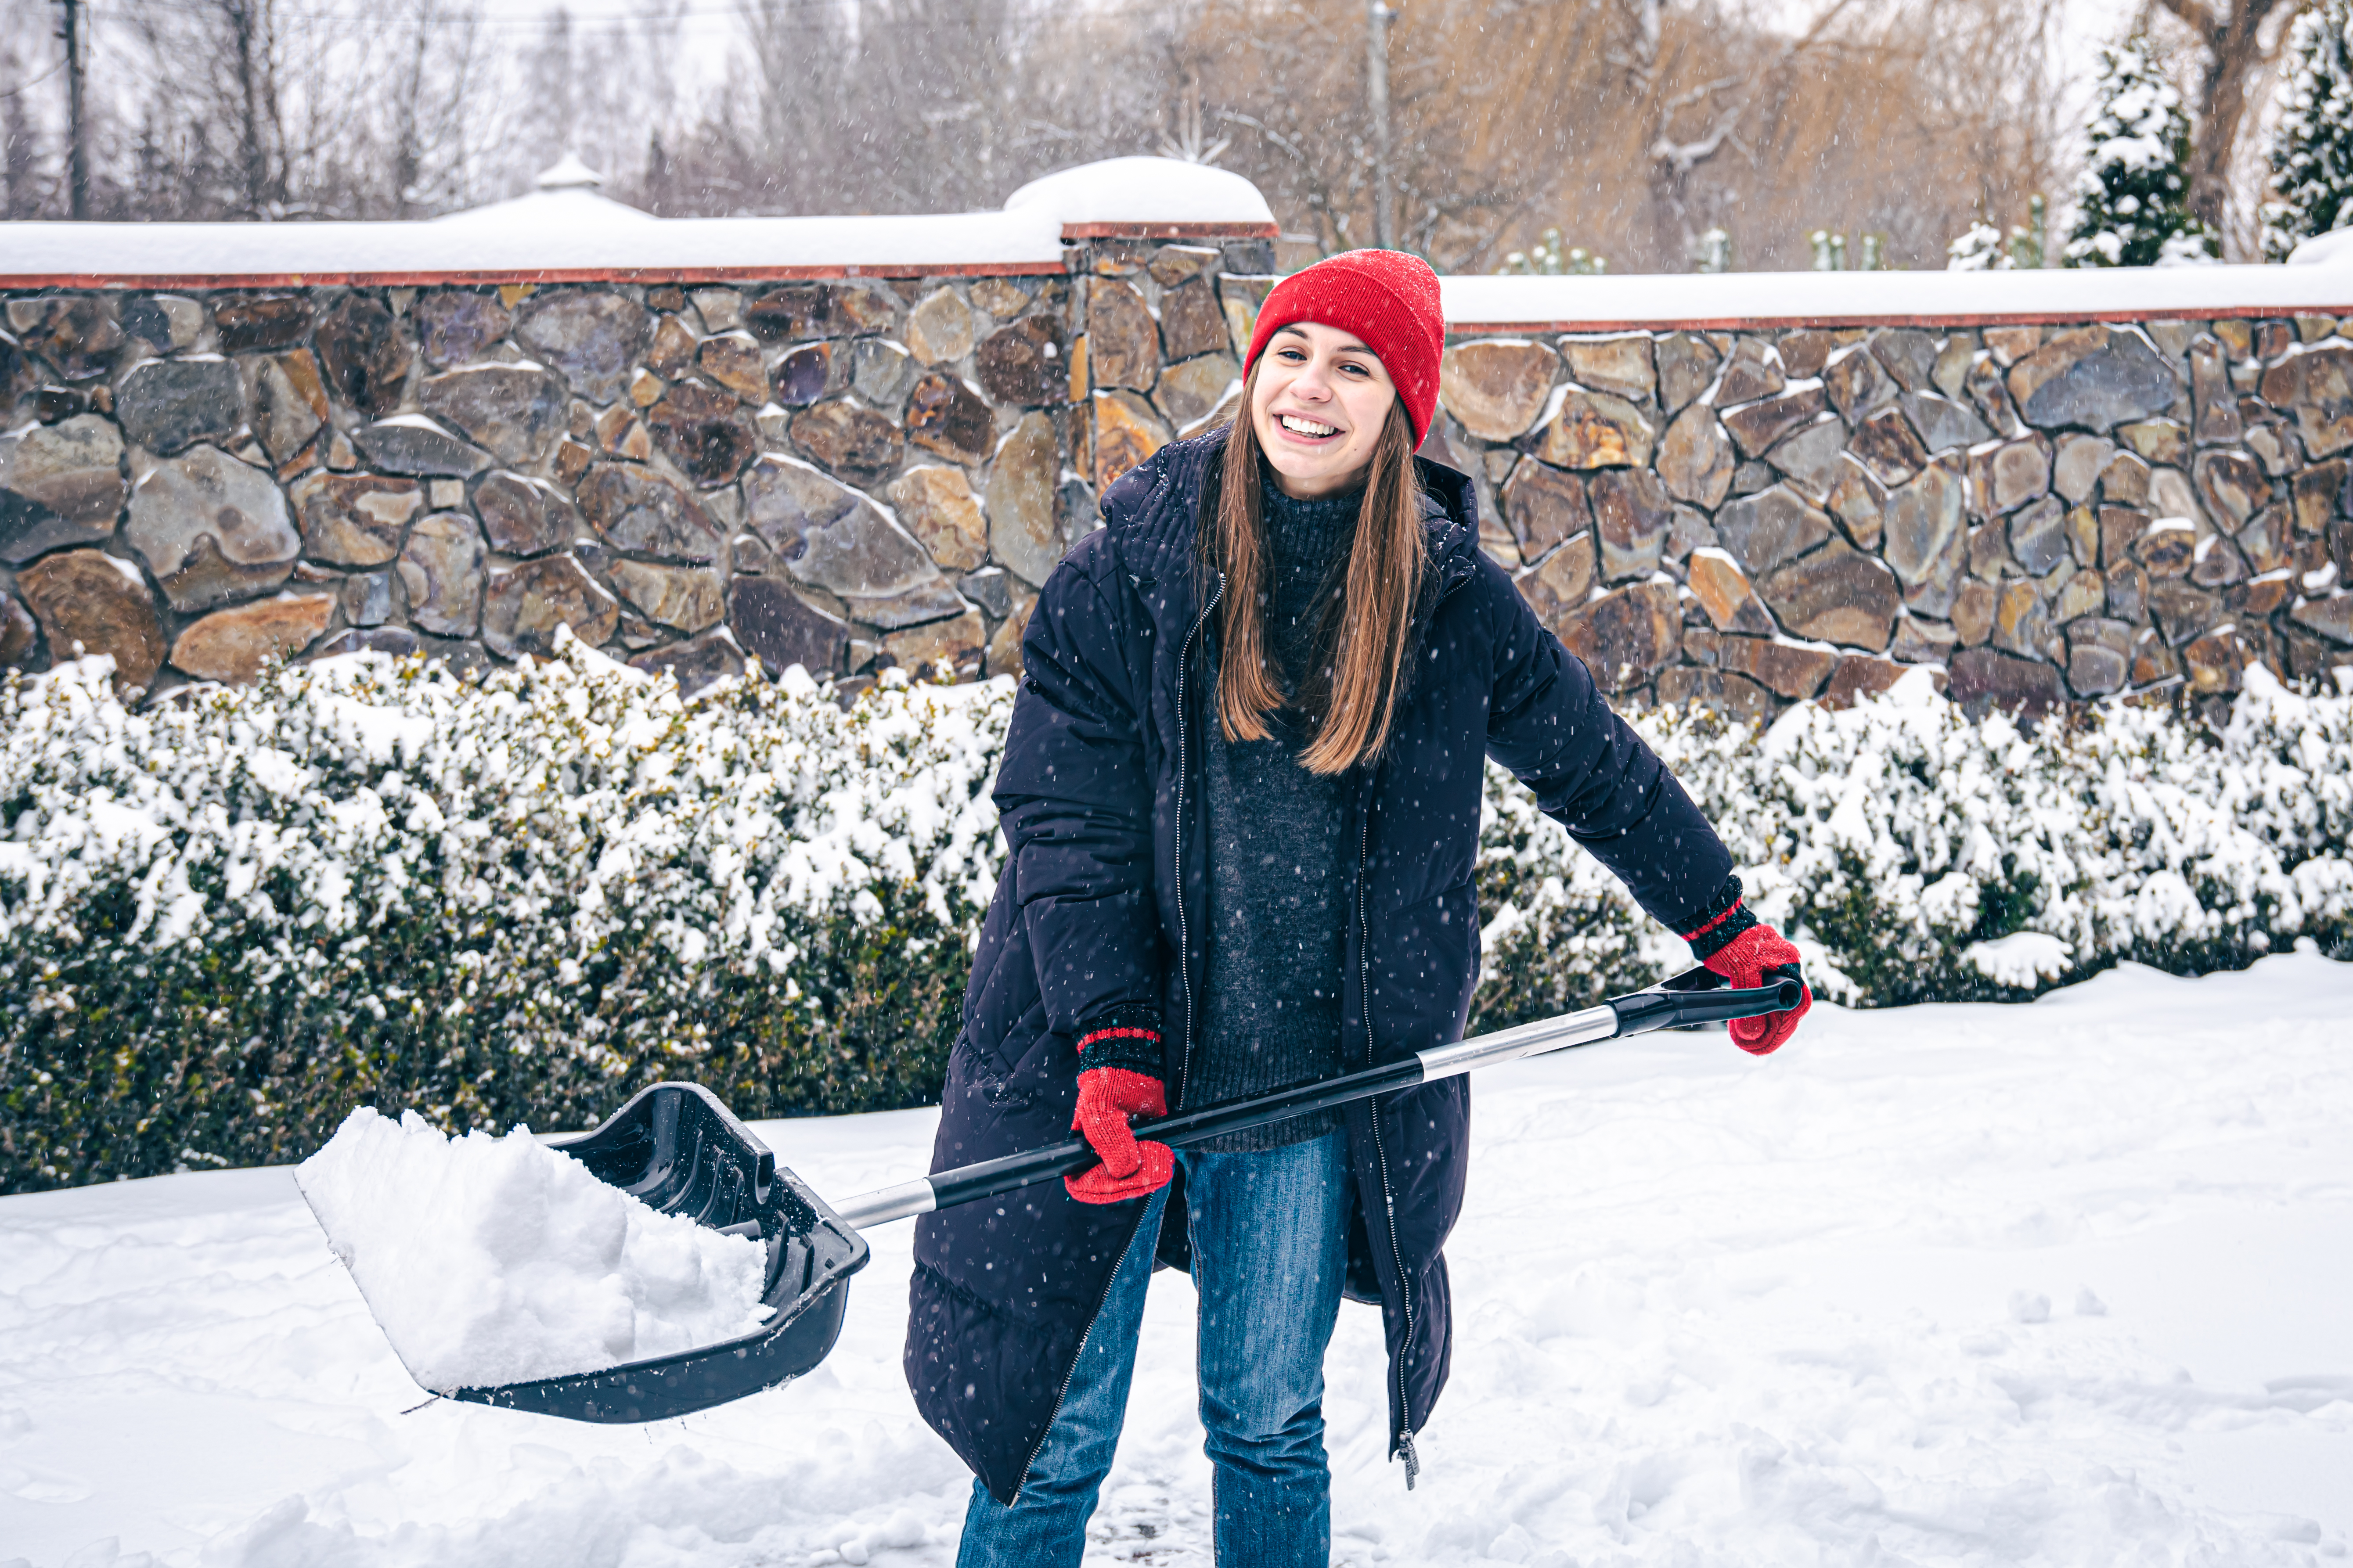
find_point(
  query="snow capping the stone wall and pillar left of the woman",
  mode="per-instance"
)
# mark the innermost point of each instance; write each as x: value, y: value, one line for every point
x: 568, y: 232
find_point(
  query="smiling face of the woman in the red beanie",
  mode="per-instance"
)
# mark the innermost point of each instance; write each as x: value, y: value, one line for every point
x: 1319, y: 408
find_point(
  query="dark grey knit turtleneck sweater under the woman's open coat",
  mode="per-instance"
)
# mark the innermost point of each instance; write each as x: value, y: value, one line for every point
x: 1277, y: 859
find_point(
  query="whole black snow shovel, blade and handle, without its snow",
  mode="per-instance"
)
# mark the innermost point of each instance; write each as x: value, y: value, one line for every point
x: 676, y: 1148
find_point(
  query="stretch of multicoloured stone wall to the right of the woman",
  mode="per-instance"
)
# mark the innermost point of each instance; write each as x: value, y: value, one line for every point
x: 2048, y: 514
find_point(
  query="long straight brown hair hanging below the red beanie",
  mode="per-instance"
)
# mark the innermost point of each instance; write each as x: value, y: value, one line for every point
x: 1349, y: 692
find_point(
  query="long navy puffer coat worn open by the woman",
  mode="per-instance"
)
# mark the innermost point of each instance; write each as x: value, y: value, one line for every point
x: 1100, y: 918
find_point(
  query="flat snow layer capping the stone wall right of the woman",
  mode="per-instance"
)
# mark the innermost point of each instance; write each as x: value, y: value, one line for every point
x: 1749, y: 300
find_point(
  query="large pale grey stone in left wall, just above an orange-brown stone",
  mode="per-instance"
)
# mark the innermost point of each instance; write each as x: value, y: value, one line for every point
x: 211, y: 530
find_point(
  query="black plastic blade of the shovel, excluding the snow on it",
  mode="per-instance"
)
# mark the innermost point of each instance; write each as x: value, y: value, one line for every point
x: 676, y: 1148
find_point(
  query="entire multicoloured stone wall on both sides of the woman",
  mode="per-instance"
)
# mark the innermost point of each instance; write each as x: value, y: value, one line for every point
x: 853, y: 474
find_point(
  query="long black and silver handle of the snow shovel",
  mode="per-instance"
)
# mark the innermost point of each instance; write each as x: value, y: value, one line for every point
x: 1688, y: 1000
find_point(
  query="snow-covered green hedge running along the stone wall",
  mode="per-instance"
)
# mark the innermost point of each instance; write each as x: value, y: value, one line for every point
x: 519, y: 899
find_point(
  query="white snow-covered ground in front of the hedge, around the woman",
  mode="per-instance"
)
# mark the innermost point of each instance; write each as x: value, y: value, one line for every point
x: 1954, y: 1285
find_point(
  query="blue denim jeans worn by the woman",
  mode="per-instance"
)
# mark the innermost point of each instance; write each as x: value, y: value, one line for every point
x: 1269, y: 1252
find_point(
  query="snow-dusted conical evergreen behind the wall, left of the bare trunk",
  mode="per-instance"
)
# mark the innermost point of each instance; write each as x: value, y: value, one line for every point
x: 2133, y: 201
